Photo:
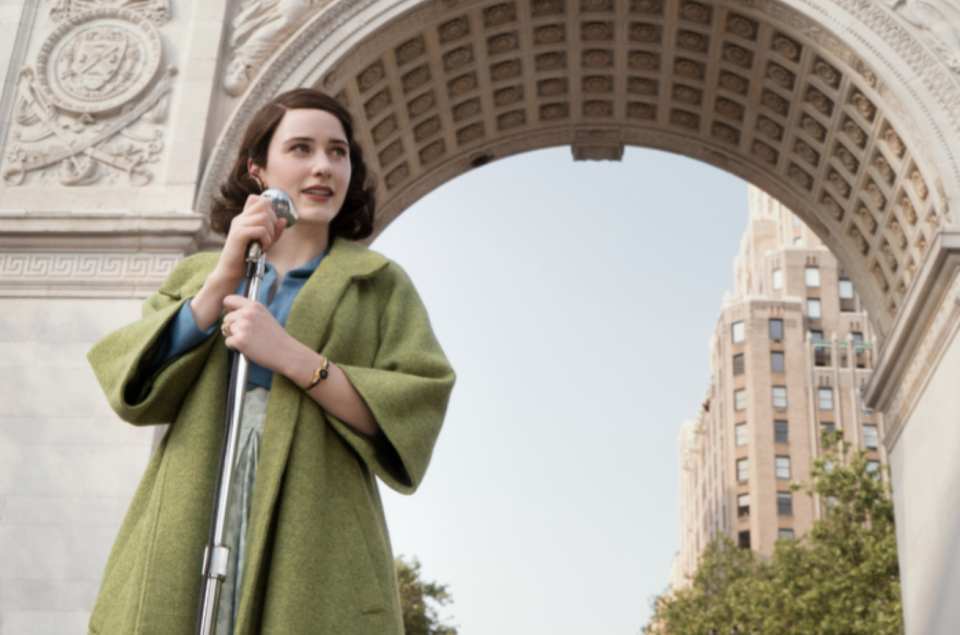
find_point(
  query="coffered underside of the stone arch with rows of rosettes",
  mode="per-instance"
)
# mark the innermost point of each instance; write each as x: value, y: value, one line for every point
x: 757, y: 89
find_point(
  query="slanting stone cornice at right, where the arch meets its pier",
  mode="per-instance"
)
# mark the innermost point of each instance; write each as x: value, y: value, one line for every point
x: 928, y: 317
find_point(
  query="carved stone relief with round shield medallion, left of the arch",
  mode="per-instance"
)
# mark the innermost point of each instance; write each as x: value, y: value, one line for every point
x: 89, y: 112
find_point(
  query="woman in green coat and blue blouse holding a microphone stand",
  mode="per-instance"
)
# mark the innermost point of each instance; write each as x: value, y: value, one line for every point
x: 347, y: 382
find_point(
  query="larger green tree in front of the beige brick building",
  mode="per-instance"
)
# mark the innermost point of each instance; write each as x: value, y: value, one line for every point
x: 842, y: 578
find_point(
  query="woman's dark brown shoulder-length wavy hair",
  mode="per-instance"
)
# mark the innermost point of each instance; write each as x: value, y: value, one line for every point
x: 355, y: 219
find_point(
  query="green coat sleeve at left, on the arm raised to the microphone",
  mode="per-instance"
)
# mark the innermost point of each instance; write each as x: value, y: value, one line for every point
x: 121, y: 359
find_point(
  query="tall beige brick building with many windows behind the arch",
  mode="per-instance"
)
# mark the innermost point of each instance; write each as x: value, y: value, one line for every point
x: 791, y: 353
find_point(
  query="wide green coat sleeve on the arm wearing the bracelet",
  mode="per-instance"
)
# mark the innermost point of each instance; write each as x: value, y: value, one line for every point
x: 407, y: 389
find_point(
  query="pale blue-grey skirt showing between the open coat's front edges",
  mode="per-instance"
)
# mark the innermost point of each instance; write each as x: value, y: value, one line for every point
x: 241, y: 501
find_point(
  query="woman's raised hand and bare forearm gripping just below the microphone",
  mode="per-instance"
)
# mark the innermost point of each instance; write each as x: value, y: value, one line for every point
x: 258, y: 222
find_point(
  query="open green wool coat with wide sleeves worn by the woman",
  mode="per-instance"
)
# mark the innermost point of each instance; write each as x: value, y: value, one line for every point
x: 318, y: 556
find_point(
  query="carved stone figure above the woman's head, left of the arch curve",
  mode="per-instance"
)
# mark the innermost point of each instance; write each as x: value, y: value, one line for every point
x: 258, y: 31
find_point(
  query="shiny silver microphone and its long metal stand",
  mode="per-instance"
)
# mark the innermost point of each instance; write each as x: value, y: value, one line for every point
x: 217, y: 555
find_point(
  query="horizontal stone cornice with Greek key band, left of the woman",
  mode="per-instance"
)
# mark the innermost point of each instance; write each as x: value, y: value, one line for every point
x: 71, y: 255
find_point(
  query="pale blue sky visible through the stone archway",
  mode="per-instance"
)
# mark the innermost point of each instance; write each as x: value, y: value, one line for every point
x: 575, y: 301
